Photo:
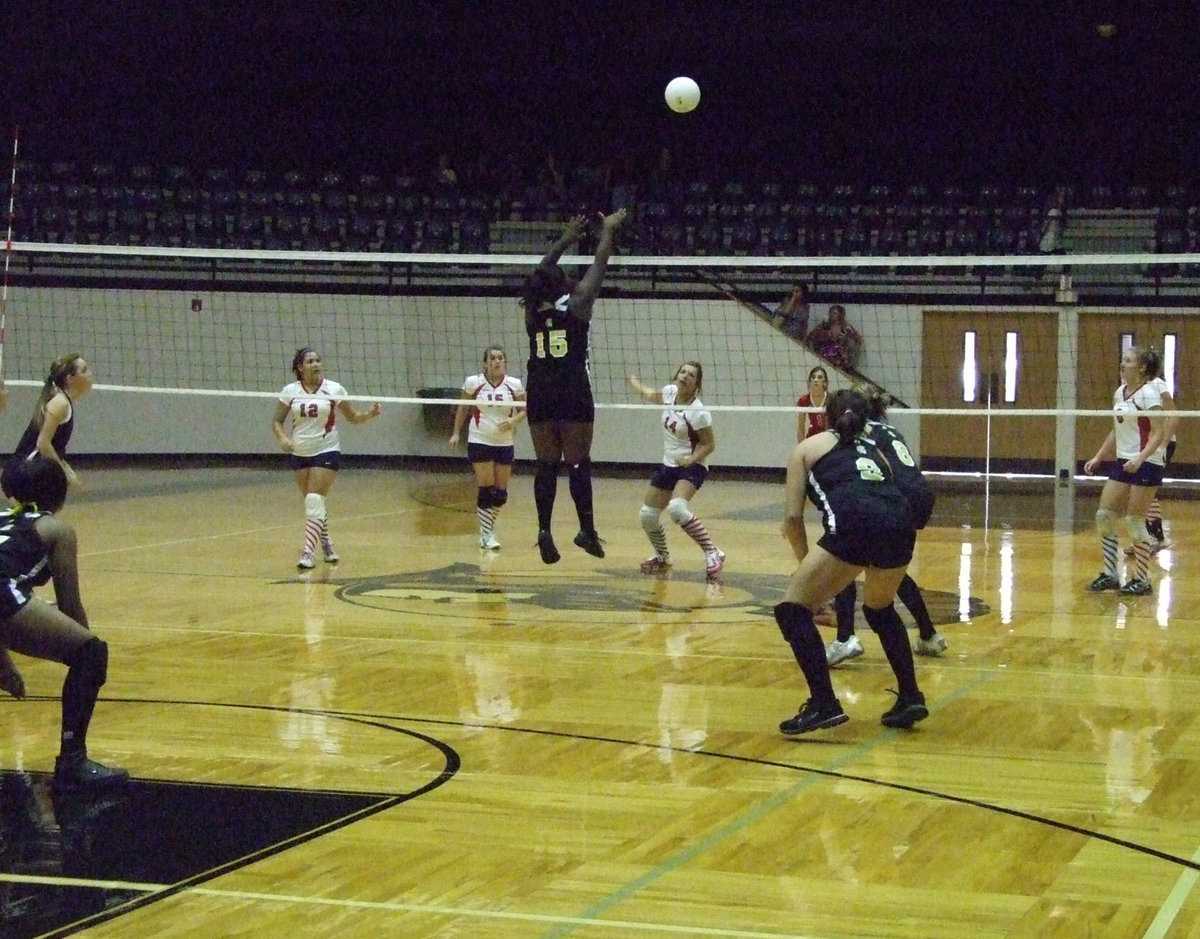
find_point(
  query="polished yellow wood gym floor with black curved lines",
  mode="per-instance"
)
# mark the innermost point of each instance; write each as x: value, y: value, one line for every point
x: 581, y: 751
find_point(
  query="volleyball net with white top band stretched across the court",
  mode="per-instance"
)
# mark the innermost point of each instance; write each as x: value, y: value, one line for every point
x: 1003, y: 363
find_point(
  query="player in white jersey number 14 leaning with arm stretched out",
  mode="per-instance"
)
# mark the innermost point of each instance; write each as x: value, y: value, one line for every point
x: 689, y: 442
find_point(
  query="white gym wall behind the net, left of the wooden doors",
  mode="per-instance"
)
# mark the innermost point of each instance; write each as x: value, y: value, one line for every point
x: 389, y: 348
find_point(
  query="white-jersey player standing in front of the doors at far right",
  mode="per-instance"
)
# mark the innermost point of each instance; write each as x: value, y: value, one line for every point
x: 1137, y: 450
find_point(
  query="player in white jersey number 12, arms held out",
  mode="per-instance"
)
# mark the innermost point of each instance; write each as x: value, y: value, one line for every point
x: 314, y: 404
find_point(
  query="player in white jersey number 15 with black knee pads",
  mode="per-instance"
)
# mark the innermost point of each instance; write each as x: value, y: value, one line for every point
x: 491, y: 417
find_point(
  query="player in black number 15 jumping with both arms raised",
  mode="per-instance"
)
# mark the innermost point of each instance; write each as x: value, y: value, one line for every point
x: 559, y: 388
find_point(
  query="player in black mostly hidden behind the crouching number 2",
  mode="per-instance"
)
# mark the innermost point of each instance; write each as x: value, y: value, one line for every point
x: 921, y: 499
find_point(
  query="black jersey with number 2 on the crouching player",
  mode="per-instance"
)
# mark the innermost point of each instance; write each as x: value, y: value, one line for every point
x: 856, y: 492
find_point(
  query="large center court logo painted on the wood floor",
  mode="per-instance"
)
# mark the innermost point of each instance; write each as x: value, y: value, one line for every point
x: 604, y: 595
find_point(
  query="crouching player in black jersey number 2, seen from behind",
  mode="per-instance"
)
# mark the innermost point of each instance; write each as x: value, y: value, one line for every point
x: 869, y: 528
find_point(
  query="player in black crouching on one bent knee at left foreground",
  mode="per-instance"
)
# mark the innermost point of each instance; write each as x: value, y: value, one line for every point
x: 35, y: 547
